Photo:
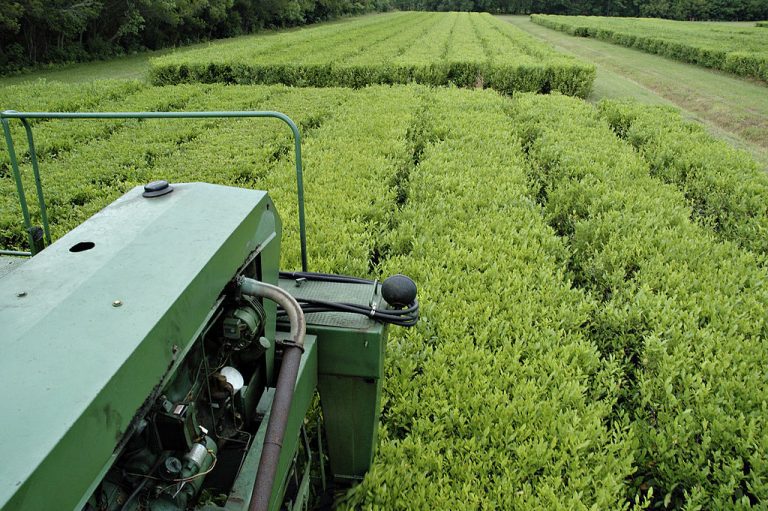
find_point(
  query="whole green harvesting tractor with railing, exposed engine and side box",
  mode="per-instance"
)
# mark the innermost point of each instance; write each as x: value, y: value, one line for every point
x: 156, y: 358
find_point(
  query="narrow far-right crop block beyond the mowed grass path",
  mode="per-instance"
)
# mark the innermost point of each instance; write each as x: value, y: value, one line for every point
x: 742, y: 50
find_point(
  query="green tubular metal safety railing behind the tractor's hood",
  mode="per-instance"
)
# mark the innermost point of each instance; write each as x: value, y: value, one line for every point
x: 24, y: 117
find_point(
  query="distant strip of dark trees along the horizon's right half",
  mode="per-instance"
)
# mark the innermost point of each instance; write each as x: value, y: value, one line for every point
x: 730, y: 10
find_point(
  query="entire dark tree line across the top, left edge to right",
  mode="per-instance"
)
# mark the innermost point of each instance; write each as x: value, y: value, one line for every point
x: 45, y: 31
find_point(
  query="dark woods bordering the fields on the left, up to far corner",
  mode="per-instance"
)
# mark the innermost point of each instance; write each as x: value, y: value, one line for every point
x: 45, y: 31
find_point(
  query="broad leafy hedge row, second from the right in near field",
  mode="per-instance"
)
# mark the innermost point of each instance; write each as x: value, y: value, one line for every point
x: 684, y: 312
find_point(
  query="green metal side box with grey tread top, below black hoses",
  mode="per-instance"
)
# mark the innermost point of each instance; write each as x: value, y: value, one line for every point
x: 350, y: 373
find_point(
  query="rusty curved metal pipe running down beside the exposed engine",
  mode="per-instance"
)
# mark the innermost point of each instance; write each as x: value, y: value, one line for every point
x: 286, y: 383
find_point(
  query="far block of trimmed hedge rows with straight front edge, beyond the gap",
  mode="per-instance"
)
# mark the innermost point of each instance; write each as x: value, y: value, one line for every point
x: 463, y: 49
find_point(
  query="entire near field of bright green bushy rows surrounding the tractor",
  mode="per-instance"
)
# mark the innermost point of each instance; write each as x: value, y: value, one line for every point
x: 593, y: 278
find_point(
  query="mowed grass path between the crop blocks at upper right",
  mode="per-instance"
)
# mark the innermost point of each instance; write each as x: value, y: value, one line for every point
x: 733, y: 108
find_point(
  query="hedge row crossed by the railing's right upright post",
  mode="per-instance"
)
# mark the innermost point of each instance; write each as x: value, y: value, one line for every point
x: 351, y: 163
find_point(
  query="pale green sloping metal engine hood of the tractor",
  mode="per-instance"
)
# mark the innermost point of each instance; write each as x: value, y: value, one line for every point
x: 86, y: 336
